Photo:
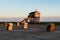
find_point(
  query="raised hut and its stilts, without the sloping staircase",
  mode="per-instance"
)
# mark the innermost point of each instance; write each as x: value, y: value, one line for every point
x: 35, y: 17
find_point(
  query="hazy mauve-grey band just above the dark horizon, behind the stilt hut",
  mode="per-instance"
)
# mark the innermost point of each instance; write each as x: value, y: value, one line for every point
x: 42, y: 19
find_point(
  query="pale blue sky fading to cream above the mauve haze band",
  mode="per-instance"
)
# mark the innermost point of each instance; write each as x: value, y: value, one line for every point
x: 22, y: 8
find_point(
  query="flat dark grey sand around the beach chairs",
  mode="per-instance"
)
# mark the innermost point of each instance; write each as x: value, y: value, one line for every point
x: 34, y: 32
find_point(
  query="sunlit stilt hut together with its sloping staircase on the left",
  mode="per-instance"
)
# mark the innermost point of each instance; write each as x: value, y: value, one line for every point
x: 33, y: 17
